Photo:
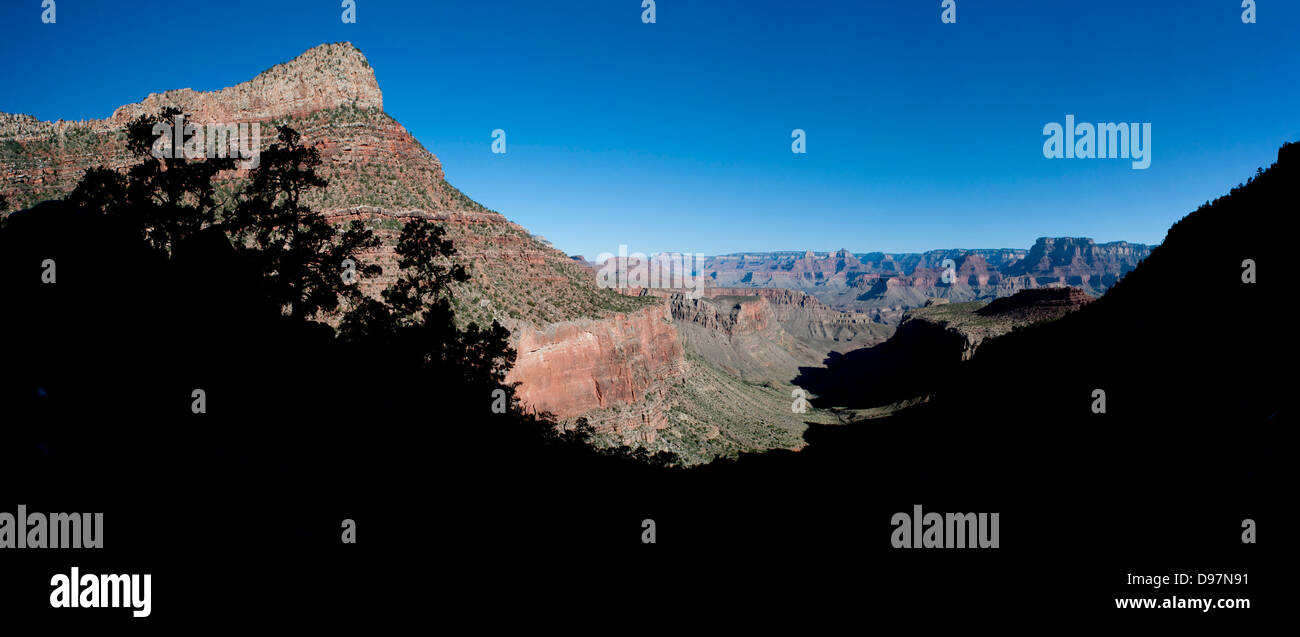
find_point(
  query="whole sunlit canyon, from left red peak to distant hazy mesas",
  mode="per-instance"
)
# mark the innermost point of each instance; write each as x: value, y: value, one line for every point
x: 701, y: 375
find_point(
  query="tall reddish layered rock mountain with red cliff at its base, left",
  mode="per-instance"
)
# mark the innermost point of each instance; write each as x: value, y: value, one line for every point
x: 580, y: 348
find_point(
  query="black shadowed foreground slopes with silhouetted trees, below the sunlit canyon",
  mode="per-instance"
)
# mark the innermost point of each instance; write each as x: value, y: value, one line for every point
x: 391, y: 421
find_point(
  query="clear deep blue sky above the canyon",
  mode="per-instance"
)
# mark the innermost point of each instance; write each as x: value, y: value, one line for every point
x: 677, y: 136
